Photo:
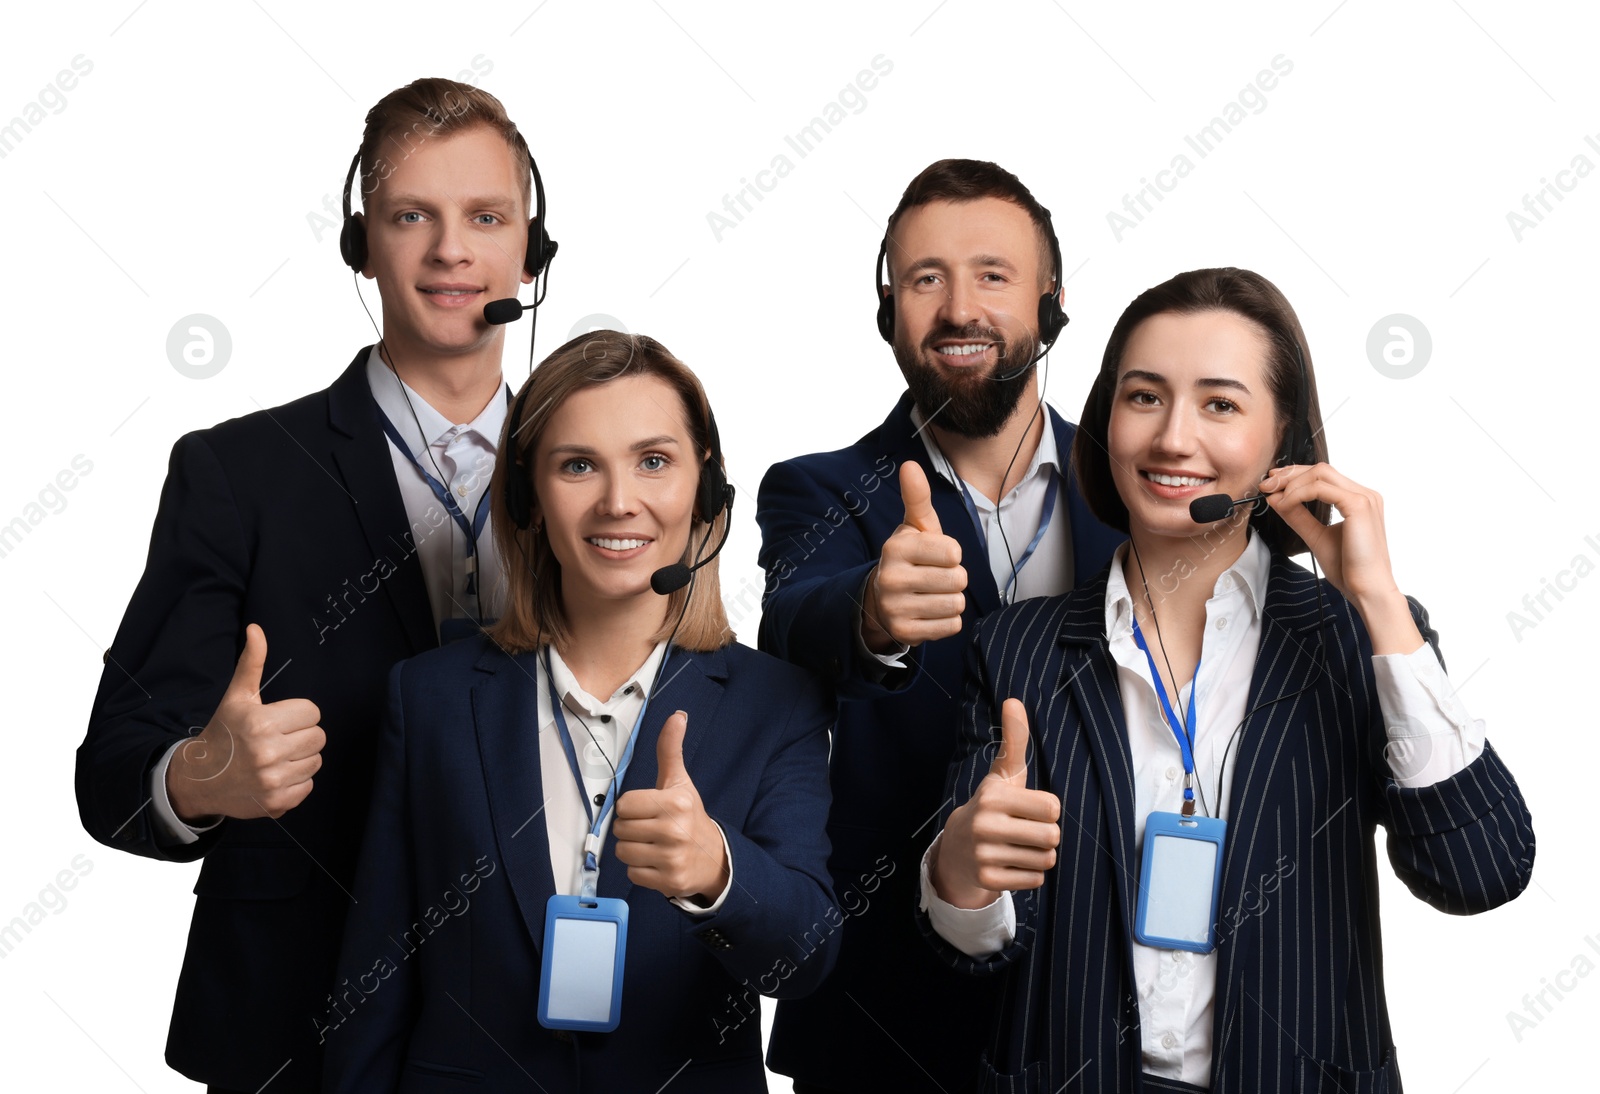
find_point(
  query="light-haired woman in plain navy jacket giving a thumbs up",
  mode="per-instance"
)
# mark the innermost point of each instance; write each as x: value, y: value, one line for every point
x: 598, y: 831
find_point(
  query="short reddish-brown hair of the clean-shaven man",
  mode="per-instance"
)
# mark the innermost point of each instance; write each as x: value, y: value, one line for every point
x: 431, y: 108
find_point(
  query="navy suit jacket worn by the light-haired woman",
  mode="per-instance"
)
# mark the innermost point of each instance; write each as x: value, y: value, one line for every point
x: 458, y: 801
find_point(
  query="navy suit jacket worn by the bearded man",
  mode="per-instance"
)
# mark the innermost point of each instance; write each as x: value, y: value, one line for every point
x: 892, y: 1015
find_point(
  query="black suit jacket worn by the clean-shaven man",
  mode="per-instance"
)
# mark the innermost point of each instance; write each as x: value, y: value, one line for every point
x: 290, y: 519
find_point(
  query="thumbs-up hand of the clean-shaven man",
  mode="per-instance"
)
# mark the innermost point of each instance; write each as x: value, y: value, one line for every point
x: 254, y: 759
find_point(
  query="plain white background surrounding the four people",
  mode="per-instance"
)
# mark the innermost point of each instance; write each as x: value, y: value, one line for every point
x: 1377, y: 180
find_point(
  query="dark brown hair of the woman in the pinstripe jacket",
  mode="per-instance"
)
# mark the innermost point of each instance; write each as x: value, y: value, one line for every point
x: 1244, y: 293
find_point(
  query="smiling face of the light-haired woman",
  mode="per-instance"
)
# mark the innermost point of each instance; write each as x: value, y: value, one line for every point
x: 615, y: 481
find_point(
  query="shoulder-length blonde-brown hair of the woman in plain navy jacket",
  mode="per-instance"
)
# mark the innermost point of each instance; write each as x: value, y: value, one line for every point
x: 534, y: 613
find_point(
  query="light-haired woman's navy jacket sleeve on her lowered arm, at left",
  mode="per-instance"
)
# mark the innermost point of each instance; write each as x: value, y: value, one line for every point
x: 366, y: 1050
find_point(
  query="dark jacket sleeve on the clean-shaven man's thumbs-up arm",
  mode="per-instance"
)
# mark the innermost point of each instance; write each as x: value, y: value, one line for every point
x: 172, y: 658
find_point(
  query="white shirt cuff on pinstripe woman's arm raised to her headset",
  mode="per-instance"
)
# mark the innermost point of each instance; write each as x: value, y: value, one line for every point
x: 1431, y: 735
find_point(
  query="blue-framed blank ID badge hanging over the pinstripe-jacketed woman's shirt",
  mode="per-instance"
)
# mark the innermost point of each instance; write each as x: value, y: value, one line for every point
x: 1180, y: 882
